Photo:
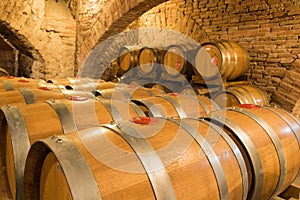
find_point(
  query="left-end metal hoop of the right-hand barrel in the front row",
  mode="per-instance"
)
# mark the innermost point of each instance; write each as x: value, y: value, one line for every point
x: 251, y: 150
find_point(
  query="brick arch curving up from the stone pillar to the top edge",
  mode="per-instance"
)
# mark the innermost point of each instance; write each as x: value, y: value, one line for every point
x: 116, y: 16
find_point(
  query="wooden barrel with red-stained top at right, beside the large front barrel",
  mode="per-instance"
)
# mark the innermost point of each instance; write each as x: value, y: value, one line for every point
x: 269, y: 140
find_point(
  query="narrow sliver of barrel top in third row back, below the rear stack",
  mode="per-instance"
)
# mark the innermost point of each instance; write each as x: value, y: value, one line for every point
x: 127, y: 92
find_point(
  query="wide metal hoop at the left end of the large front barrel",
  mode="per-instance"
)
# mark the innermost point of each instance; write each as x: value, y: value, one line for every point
x: 74, y: 167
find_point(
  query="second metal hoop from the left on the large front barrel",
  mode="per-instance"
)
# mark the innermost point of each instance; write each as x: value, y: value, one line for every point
x: 156, y: 172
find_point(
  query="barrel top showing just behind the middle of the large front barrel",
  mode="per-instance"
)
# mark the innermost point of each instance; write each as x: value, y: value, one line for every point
x: 173, y: 105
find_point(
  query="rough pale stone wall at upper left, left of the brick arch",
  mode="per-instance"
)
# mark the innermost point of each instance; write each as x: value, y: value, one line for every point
x: 44, y: 31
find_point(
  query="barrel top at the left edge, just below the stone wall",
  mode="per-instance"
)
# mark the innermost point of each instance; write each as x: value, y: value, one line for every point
x: 8, y: 83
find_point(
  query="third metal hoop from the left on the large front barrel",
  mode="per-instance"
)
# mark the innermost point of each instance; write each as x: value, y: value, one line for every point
x: 211, y: 156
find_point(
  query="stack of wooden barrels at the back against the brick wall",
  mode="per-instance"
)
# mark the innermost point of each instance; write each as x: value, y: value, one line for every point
x: 213, y: 69
